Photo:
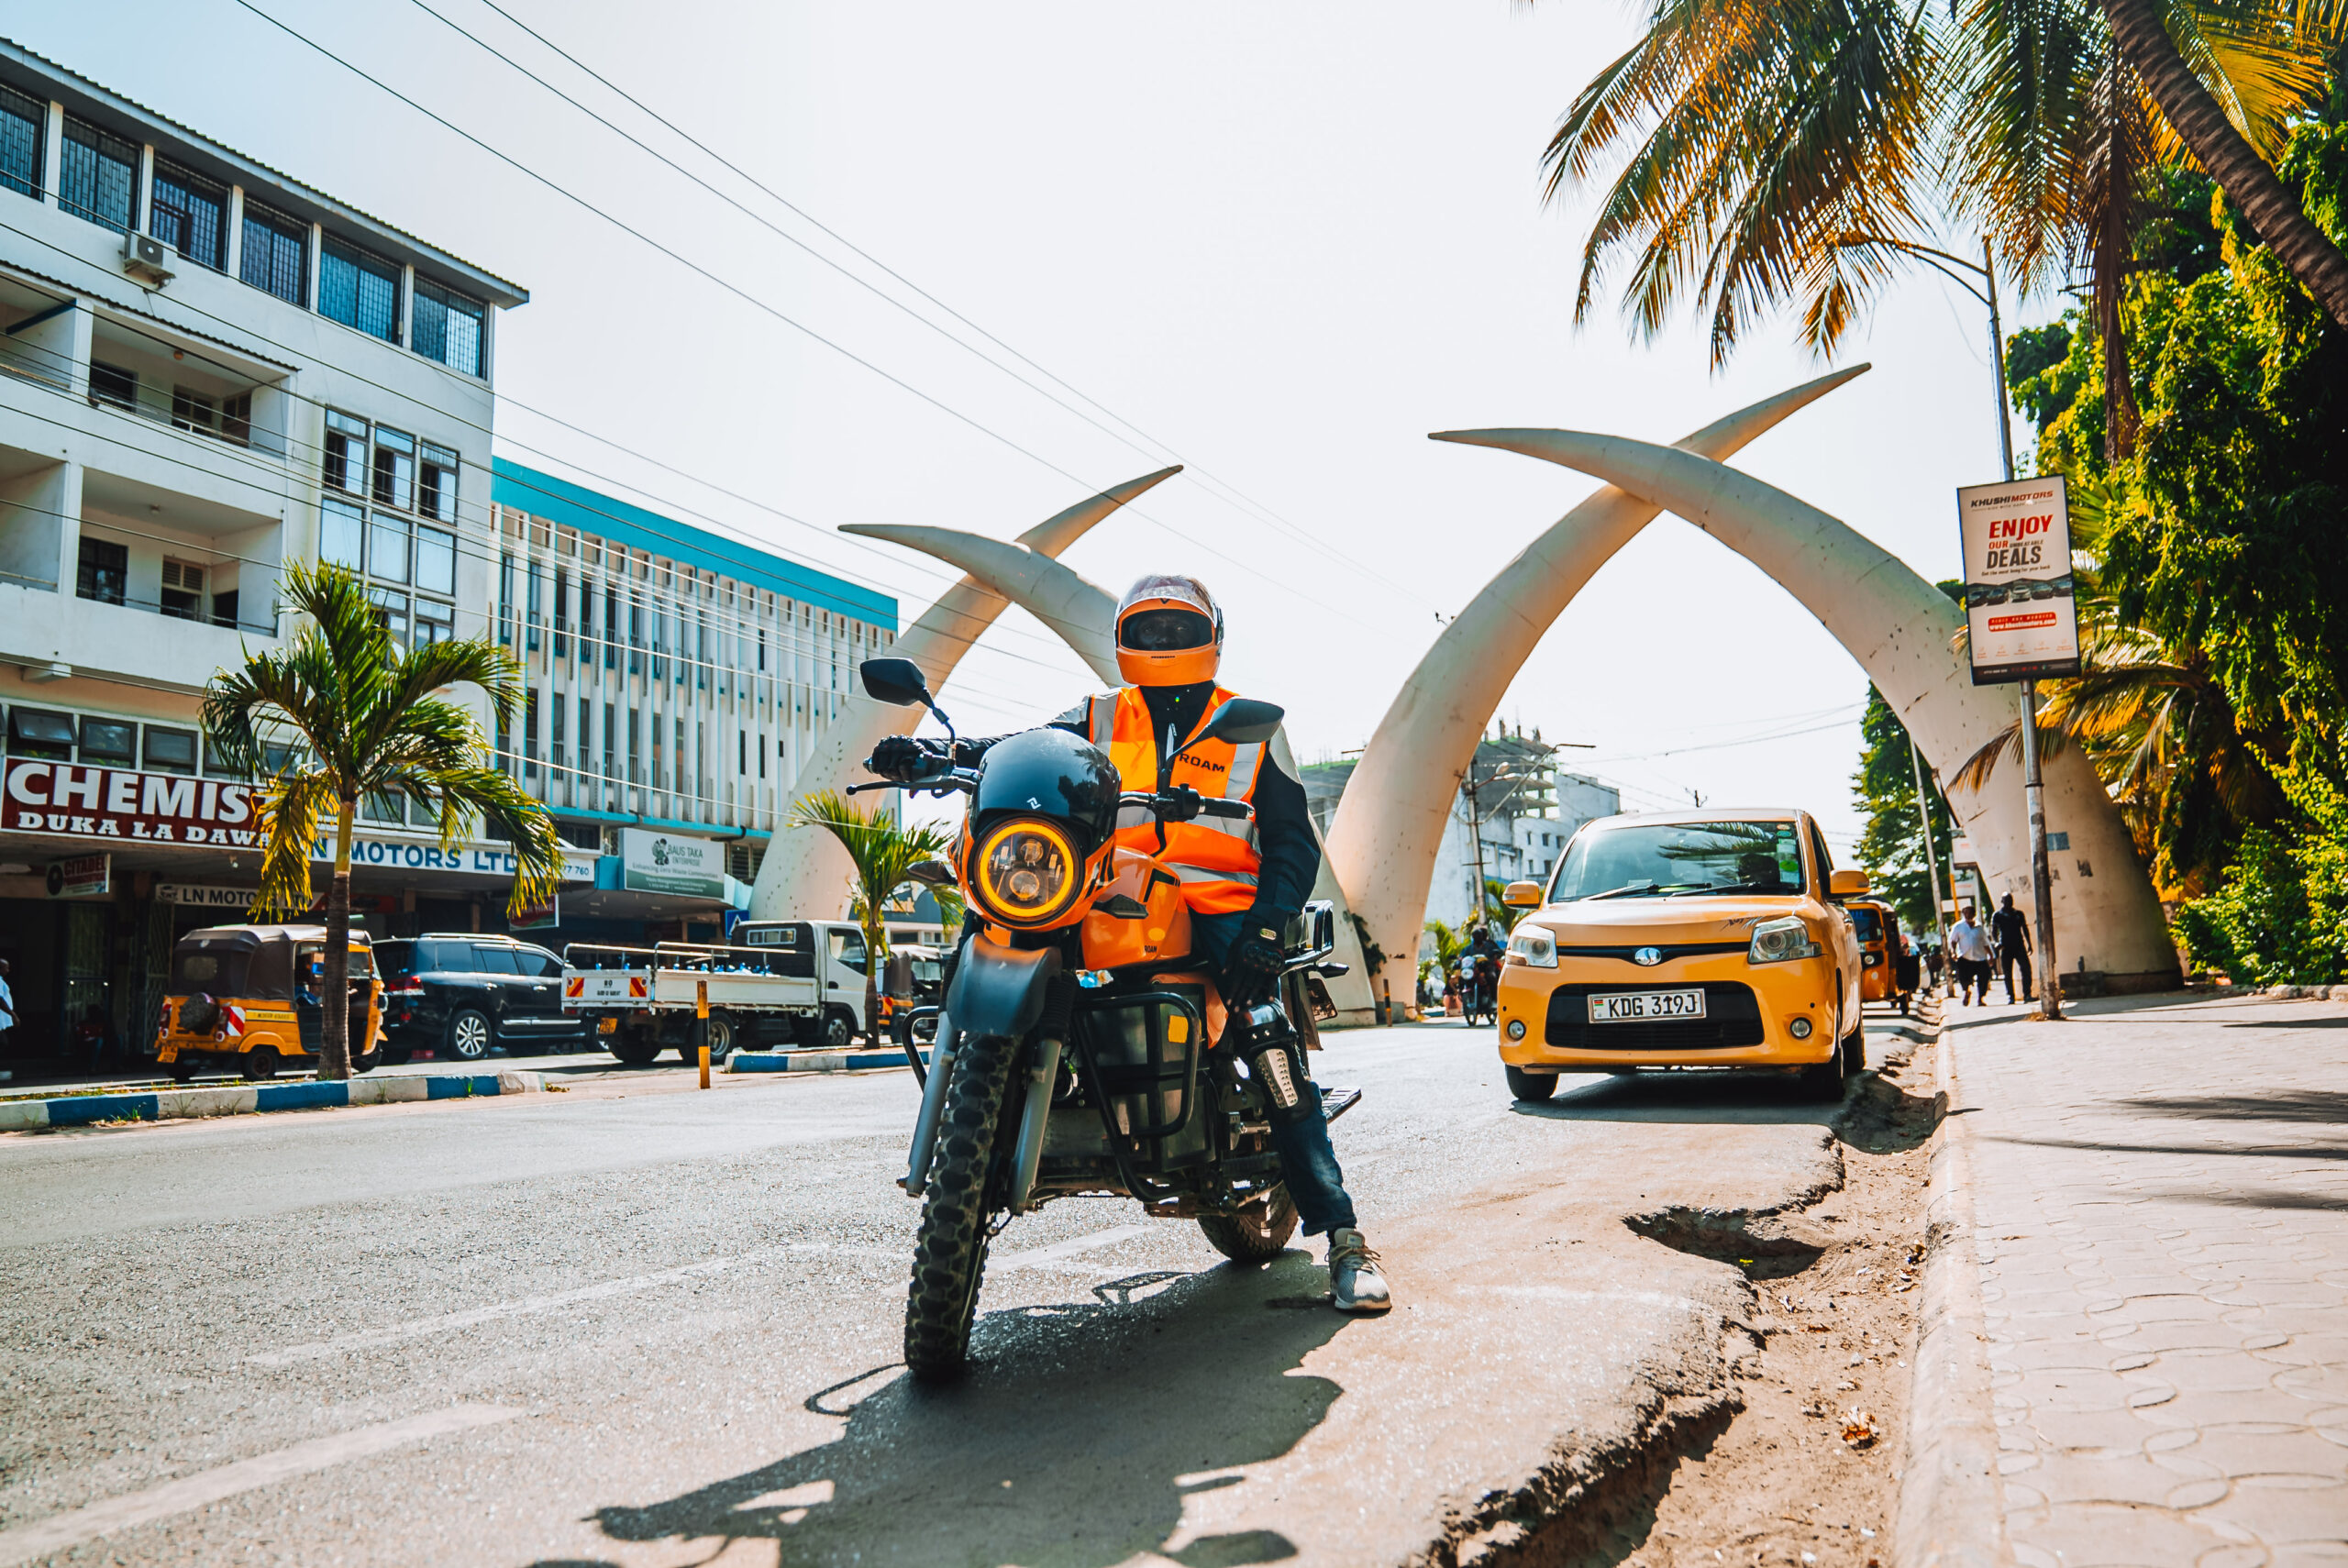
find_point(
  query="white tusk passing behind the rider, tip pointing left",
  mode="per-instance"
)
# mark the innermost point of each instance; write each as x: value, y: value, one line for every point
x: 1088, y: 619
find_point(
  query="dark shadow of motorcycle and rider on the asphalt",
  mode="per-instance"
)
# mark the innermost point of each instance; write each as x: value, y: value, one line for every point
x: 1074, y: 1442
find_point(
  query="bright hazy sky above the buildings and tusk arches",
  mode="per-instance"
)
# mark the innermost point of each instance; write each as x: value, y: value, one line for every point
x: 1286, y: 241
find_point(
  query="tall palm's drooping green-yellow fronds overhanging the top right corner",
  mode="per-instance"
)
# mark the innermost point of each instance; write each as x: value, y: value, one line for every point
x: 1769, y: 151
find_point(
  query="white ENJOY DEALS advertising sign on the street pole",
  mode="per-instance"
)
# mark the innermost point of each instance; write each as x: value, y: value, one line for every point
x: 2020, y: 614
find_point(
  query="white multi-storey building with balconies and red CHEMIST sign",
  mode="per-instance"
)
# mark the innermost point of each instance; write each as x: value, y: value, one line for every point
x: 208, y: 370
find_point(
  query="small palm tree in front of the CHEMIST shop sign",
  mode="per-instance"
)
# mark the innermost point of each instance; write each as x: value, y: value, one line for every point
x: 344, y: 715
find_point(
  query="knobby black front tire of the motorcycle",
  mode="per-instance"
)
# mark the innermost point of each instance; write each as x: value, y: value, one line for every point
x: 950, y: 1257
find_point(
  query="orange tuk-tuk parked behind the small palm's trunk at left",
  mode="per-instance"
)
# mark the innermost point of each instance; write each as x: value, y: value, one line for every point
x: 250, y: 996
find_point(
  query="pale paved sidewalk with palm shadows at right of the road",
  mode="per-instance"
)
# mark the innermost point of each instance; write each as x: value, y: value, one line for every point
x: 2161, y: 1208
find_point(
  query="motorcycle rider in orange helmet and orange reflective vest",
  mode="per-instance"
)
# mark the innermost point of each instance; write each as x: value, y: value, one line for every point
x: 1241, y: 879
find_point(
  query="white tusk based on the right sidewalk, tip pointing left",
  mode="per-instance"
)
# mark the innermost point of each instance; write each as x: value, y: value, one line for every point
x: 1901, y: 633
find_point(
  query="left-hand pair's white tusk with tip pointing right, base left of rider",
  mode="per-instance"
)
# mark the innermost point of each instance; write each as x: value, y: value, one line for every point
x: 807, y: 874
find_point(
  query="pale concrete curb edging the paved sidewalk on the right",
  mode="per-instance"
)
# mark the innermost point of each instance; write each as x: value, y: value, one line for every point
x: 1952, y: 1513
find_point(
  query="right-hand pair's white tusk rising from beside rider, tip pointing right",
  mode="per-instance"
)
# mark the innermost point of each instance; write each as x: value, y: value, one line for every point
x: 1389, y: 827
